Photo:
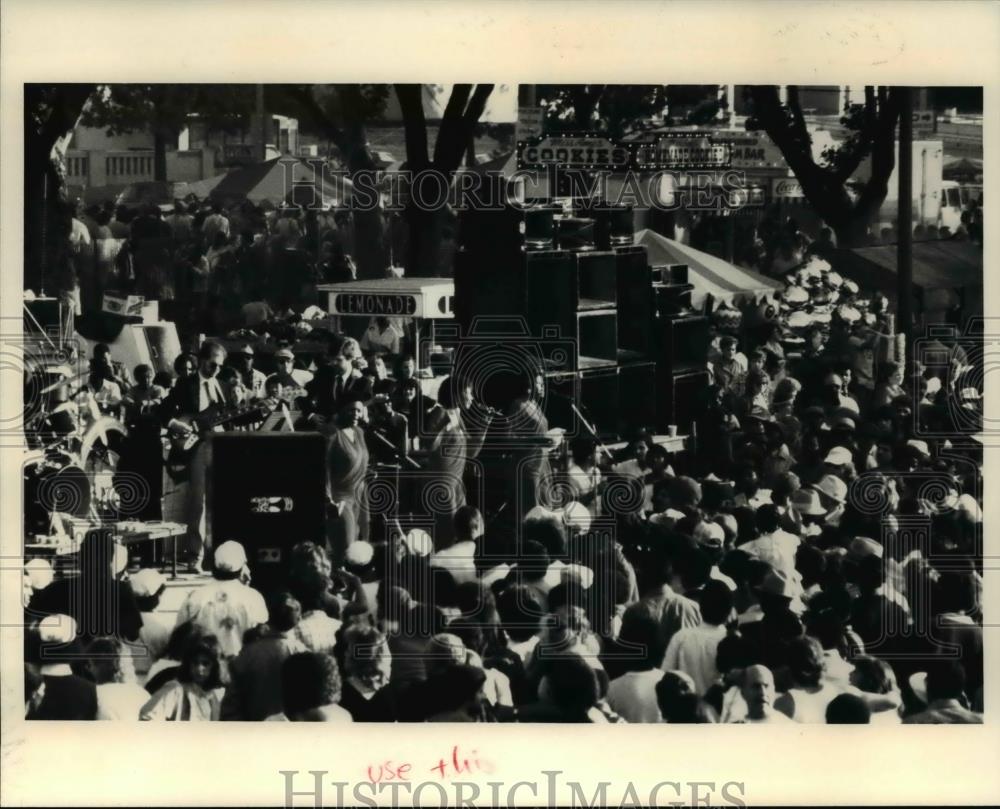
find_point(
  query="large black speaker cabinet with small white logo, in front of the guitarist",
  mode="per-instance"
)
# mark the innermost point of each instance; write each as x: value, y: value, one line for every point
x: 269, y: 494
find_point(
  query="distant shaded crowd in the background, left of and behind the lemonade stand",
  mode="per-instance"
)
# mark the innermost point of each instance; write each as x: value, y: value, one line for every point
x: 205, y: 261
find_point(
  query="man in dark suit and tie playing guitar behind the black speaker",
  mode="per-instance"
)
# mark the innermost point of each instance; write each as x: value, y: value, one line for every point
x: 191, y: 396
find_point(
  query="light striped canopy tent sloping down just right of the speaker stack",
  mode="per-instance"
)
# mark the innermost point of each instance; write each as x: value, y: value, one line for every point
x: 709, y: 274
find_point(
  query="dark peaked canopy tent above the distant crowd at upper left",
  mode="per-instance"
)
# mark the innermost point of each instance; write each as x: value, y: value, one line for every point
x: 284, y: 179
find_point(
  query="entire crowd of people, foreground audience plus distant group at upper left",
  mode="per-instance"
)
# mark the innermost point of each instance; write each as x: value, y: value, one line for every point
x: 816, y: 558
